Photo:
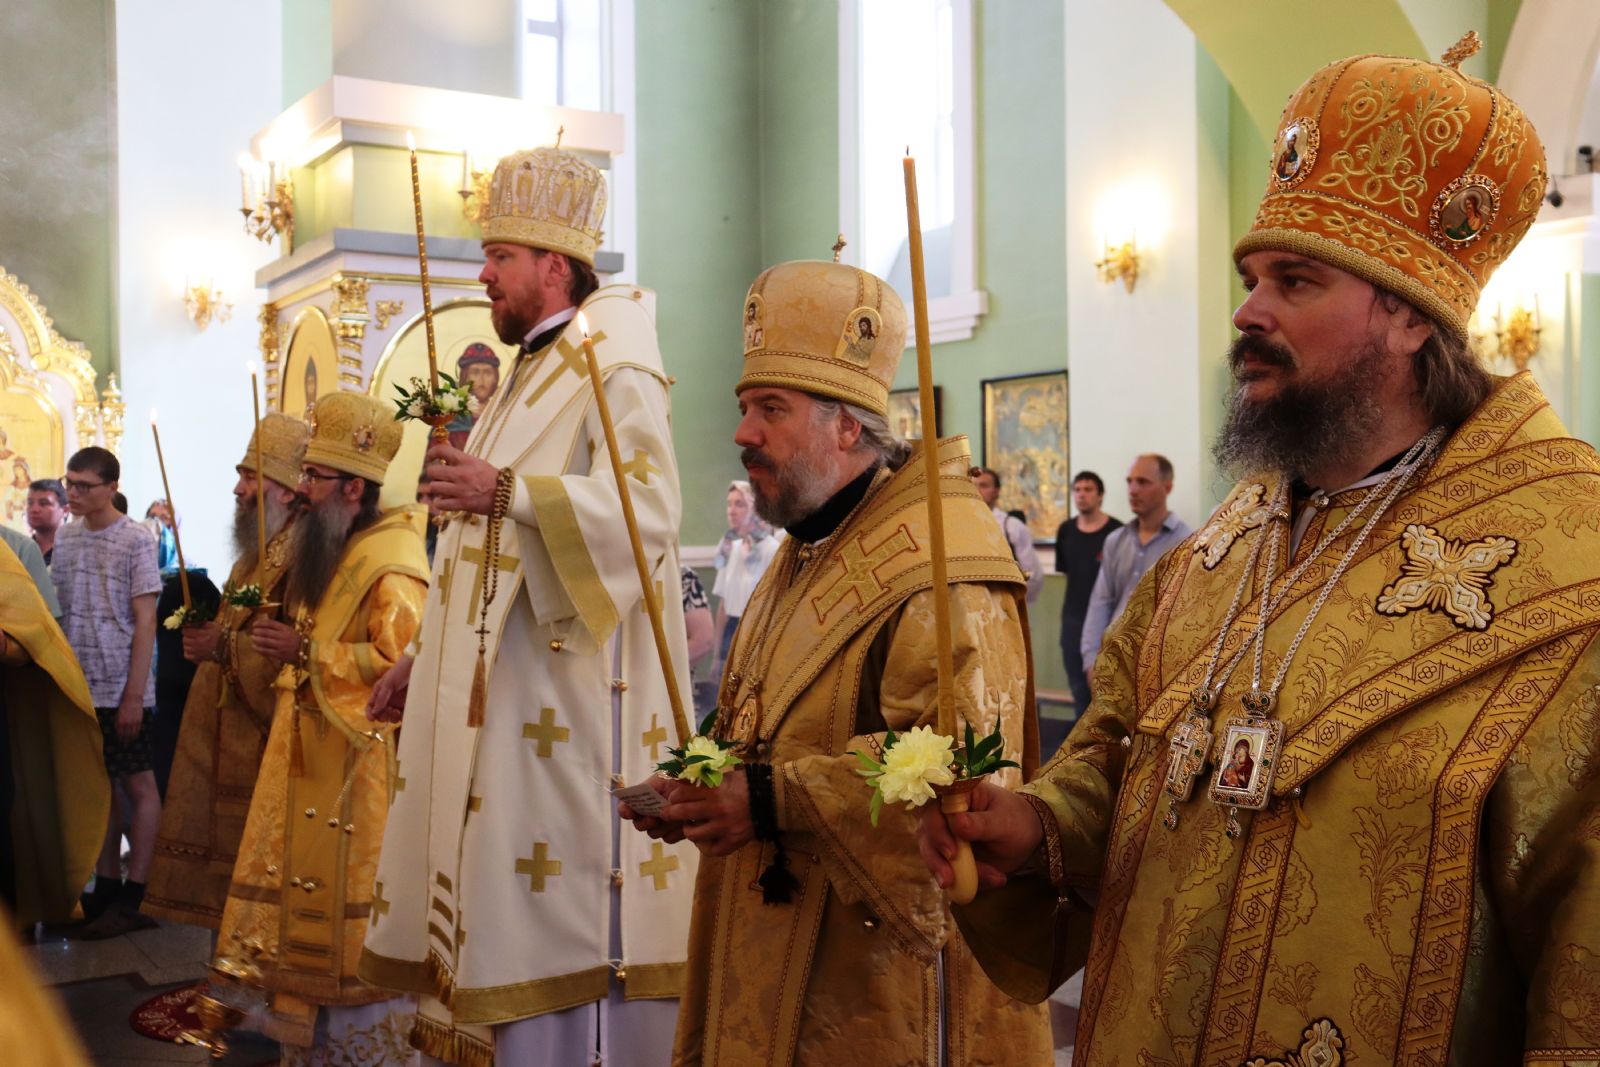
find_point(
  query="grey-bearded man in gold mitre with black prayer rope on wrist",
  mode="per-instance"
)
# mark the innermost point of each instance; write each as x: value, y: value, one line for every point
x: 820, y: 938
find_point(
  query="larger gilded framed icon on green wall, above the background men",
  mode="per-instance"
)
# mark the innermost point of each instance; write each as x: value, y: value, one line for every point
x: 1026, y: 442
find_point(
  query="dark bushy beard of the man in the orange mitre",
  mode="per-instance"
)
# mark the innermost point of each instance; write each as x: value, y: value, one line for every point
x: 1306, y: 425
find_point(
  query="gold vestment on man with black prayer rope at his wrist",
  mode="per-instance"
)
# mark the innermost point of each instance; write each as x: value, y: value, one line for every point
x: 839, y: 637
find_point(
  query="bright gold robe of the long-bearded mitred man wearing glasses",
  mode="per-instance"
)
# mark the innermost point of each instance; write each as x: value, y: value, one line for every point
x: 303, y: 890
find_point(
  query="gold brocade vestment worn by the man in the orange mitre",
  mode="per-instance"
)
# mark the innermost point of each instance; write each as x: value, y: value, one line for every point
x: 1425, y: 882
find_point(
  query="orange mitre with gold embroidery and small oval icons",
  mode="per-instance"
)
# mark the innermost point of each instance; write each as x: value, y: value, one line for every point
x: 1407, y: 174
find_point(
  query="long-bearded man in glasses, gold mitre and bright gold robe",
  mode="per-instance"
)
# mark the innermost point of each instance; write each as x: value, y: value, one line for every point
x: 302, y: 895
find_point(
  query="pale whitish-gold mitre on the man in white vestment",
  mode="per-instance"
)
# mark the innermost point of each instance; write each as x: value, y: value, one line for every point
x: 548, y: 199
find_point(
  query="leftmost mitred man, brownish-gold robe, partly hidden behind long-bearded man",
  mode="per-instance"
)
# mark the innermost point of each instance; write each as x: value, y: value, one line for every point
x: 231, y: 701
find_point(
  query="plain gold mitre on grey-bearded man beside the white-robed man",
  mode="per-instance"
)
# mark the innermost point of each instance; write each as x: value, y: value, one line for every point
x: 825, y: 329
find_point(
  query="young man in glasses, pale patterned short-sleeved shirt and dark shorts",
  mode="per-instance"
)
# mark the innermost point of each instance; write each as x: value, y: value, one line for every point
x: 108, y: 581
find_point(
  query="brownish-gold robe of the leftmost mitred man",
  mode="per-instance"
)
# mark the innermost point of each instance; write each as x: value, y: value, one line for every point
x: 226, y: 721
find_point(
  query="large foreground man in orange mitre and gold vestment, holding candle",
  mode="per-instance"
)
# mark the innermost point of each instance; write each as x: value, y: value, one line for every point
x: 1337, y: 799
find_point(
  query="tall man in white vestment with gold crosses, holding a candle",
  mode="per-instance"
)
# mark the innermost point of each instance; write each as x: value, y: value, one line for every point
x: 508, y: 898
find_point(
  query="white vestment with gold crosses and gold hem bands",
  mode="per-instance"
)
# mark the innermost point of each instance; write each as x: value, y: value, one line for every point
x: 503, y: 868
